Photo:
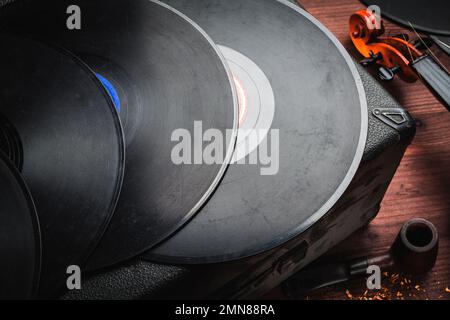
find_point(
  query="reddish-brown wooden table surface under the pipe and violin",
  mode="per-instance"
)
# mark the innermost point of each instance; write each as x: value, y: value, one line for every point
x: 421, y: 187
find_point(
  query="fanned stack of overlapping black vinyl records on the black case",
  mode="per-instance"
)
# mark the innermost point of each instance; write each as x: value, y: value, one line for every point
x: 185, y: 132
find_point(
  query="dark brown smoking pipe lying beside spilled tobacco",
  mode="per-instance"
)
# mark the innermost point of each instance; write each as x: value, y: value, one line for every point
x: 413, y: 252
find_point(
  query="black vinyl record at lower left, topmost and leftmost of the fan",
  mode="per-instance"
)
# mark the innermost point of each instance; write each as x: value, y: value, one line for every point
x: 20, y: 242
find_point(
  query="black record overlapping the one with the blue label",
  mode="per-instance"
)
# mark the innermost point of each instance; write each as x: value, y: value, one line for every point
x: 64, y: 135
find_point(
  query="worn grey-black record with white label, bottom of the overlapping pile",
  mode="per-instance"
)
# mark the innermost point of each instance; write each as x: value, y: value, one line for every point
x: 301, y: 93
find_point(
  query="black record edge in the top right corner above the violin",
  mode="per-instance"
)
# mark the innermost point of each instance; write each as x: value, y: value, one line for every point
x: 426, y: 16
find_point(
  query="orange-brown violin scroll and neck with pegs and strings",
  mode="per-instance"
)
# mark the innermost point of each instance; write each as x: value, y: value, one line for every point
x: 396, y: 56
